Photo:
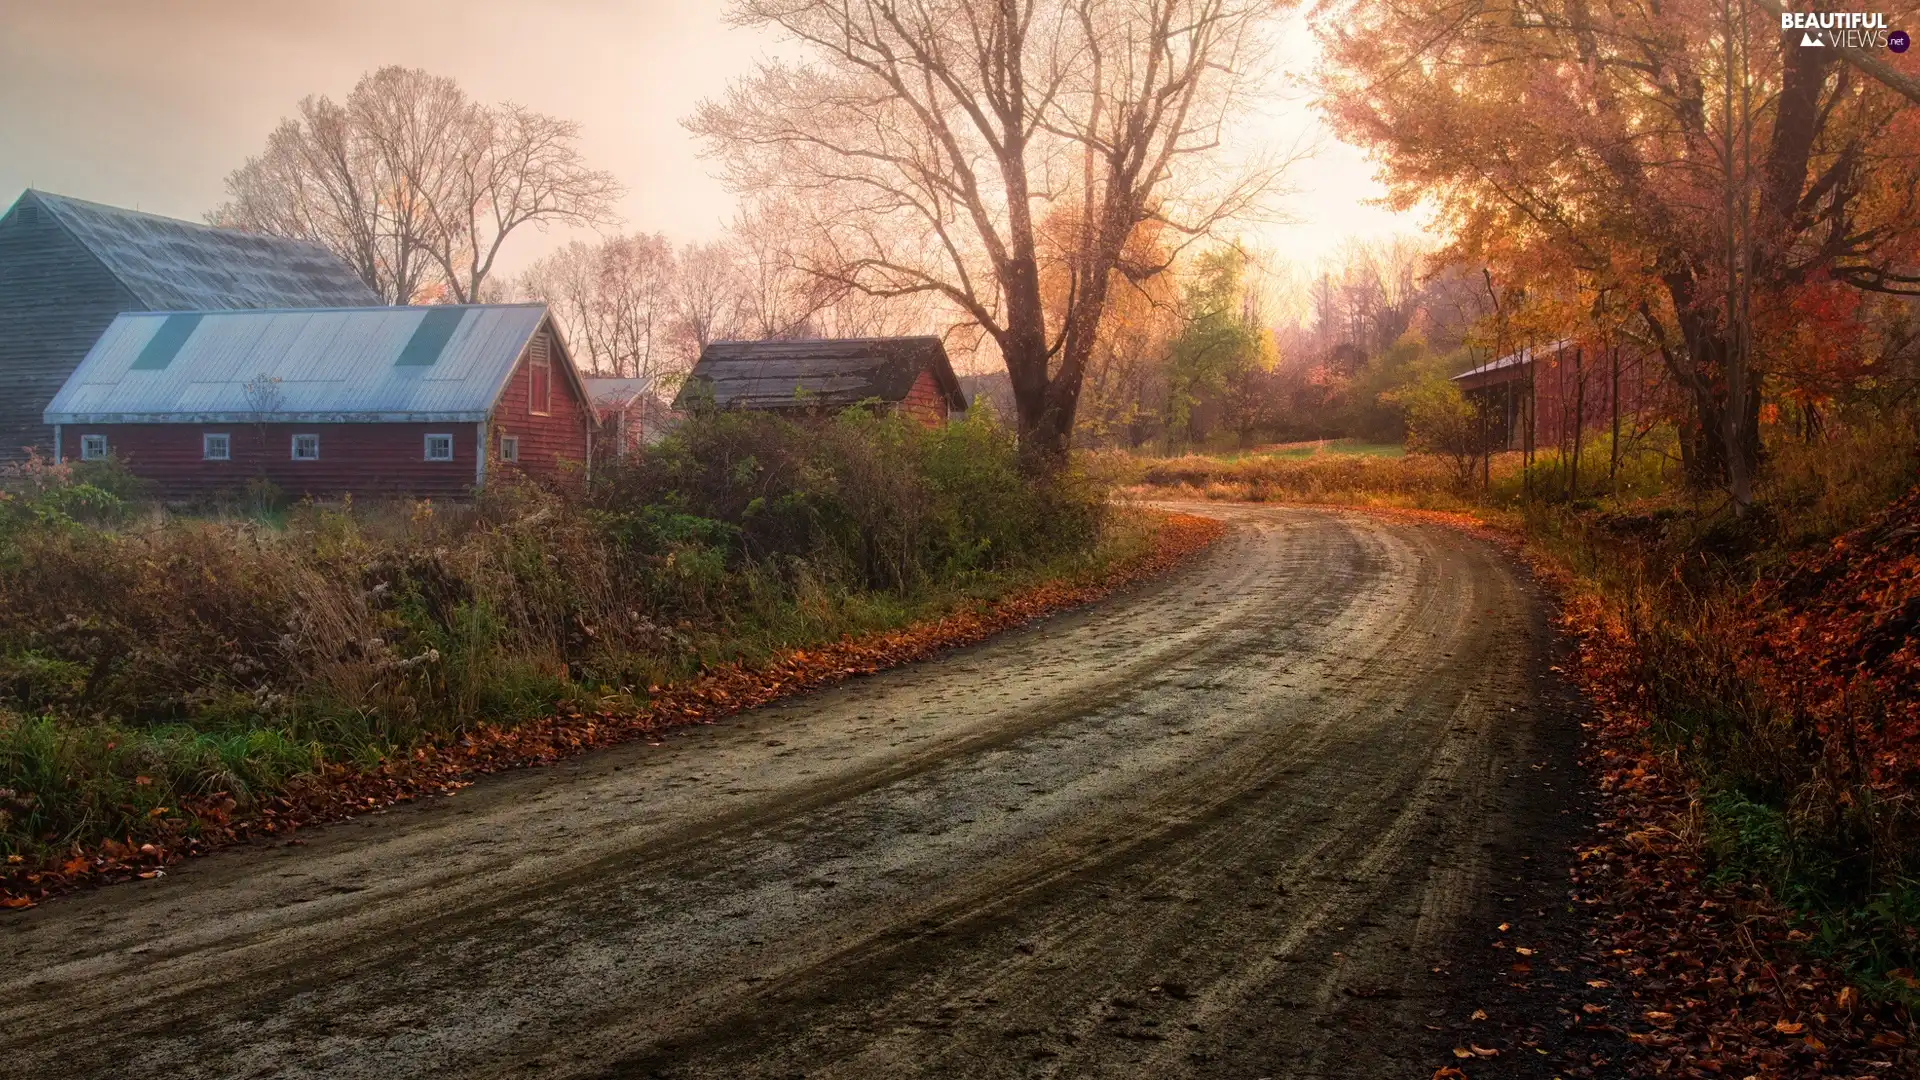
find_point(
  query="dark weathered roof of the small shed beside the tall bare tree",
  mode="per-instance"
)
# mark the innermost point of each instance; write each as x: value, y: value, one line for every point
x: 819, y: 372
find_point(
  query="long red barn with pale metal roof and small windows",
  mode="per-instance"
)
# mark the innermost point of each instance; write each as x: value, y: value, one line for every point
x: 327, y: 403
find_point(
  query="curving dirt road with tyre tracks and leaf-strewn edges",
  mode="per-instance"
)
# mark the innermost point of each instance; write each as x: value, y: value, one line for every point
x: 1226, y: 825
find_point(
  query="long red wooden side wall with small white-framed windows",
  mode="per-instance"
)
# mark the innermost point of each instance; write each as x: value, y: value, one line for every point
x: 356, y: 458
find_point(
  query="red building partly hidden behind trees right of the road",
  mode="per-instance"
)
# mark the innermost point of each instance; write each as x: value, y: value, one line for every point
x: 1564, y: 387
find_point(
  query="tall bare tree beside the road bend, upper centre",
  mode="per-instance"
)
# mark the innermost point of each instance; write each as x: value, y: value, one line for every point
x: 932, y: 135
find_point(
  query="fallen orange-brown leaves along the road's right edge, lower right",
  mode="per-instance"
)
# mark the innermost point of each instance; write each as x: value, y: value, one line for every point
x: 1717, y: 977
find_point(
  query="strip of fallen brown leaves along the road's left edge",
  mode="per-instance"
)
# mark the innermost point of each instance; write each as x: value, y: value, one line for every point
x: 341, y: 793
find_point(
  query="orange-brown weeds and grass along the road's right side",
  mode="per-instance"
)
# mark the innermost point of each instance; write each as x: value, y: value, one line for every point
x: 1775, y: 658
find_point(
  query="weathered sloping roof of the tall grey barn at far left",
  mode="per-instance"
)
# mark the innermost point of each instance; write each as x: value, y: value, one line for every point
x: 178, y: 266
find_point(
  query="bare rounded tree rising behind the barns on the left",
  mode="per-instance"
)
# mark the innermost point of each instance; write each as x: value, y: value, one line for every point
x: 416, y: 185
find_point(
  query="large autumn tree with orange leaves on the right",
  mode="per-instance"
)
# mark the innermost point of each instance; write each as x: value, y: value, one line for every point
x: 1685, y: 160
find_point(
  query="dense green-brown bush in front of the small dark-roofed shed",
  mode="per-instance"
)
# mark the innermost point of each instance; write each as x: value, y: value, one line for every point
x: 863, y: 501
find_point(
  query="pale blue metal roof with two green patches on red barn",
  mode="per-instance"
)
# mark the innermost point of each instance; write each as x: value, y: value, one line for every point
x: 304, y: 366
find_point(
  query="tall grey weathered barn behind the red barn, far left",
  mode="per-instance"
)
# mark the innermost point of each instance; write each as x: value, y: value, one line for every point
x: 70, y: 266
